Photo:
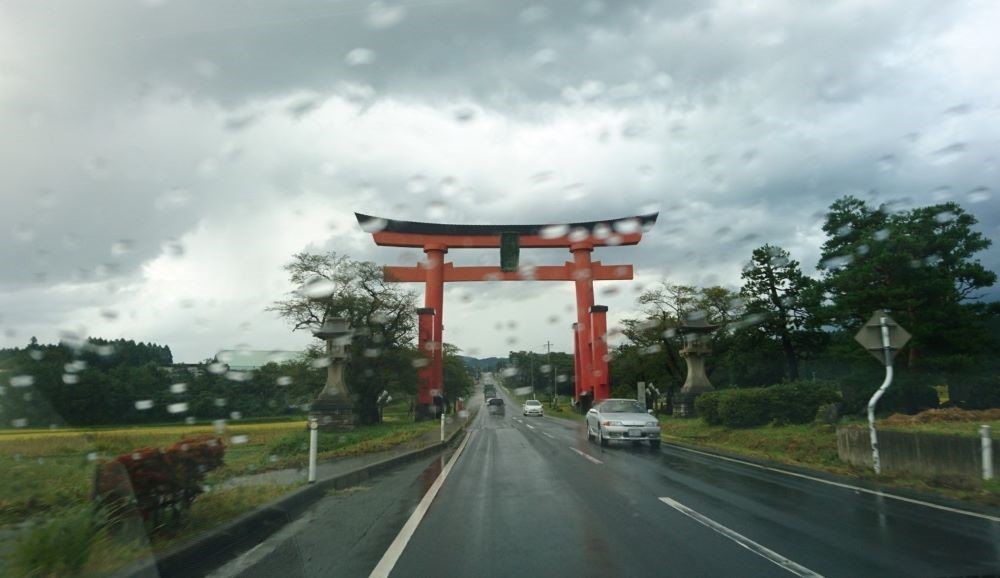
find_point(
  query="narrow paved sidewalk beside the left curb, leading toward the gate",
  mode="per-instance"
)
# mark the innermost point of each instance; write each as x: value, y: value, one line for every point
x: 339, y: 466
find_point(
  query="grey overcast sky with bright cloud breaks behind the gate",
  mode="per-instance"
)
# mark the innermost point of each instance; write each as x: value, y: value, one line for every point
x: 161, y: 160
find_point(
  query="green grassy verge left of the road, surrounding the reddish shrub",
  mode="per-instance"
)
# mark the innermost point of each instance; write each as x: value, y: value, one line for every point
x: 37, y: 545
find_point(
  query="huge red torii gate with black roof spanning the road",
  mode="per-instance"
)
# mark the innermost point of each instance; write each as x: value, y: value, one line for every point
x: 590, y: 341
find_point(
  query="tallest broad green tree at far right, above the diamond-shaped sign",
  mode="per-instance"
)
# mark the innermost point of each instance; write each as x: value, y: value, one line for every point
x: 919, y: 264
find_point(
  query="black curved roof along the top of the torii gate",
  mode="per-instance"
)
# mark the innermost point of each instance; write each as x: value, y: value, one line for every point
x: 369, y: 222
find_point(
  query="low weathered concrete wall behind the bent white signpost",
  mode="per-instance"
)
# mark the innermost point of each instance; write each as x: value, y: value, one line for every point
x: 924, y: 454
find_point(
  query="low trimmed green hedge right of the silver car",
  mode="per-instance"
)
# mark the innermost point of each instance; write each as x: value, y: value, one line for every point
x: 795, y: 402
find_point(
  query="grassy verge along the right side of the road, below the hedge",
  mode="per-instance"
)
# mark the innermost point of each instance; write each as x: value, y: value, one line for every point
x: 815, y: 446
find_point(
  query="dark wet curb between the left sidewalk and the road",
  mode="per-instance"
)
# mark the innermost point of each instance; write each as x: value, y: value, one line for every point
x: 216, y: 547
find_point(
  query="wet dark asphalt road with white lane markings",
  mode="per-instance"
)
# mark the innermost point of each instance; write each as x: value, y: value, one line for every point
x: 532, y: 497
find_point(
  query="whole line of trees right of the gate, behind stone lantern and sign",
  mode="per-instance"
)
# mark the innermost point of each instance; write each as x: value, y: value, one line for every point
x: 782, y: 325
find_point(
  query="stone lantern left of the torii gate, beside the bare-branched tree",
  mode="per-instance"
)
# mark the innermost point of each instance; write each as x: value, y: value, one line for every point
x: 333, y: 409
